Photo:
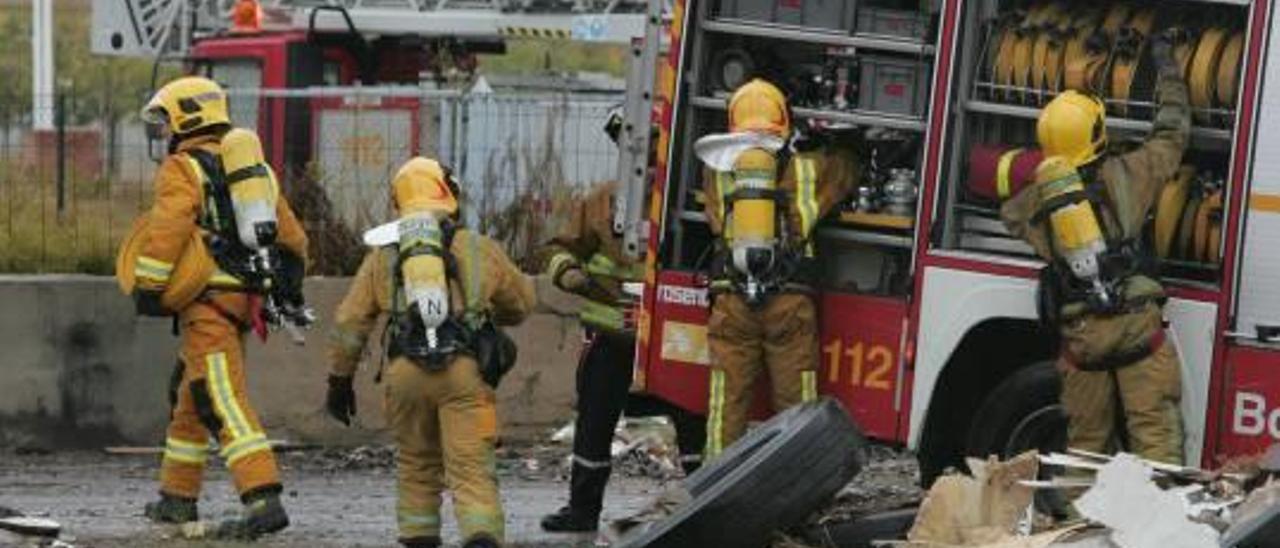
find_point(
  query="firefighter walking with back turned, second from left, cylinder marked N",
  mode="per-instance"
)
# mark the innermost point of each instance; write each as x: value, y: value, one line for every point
x: 444, y: 290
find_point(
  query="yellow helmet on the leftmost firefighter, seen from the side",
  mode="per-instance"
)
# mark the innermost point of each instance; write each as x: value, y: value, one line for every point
x: 188, y: 104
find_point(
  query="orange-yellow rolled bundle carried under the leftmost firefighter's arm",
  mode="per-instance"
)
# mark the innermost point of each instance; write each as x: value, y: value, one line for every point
x: 191, y: 275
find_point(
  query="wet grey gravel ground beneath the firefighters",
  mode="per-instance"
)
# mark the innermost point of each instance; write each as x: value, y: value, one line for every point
x: 346, y: 497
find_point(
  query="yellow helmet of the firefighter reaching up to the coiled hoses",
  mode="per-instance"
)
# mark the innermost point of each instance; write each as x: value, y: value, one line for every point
x: 1073, y: 126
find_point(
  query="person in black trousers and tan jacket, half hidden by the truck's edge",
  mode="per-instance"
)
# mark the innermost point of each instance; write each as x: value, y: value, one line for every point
x: 587, y: 259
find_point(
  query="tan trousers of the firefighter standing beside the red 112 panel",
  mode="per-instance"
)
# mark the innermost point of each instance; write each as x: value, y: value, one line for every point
x: 780, y: 337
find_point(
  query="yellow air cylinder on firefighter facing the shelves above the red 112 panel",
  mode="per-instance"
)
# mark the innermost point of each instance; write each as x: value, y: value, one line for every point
x: 753, y: 227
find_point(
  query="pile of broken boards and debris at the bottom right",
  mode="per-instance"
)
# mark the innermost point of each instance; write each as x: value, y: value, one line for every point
x: 1118, y: 503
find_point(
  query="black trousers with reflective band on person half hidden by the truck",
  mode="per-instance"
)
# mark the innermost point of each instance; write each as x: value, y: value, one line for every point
x: 604, y: 385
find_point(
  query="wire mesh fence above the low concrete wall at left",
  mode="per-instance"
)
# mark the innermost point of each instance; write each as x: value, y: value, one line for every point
x: 72, y: 191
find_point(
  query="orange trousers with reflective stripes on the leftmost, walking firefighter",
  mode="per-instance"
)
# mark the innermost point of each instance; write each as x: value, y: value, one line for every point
x: 209, y: 399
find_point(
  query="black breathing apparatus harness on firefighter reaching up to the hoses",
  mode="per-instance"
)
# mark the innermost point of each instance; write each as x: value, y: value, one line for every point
x: 1094, y: 275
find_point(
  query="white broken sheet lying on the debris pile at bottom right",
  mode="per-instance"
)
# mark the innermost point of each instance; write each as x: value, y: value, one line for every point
x: 1139, y: 513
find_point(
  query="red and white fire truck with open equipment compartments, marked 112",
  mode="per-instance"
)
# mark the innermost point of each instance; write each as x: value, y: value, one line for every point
x: 929, y: 323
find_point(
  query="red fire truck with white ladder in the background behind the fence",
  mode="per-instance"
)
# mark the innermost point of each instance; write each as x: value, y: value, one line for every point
x: 312, y: 57
